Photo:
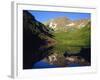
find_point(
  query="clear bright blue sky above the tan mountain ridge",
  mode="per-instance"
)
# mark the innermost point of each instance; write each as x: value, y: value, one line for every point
x: 44, y: 16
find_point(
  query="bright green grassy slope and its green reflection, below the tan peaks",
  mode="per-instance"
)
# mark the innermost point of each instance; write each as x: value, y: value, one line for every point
x: 72, y: 41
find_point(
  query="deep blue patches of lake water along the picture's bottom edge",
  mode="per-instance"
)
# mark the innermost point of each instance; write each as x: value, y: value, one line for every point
x: 42, y: 64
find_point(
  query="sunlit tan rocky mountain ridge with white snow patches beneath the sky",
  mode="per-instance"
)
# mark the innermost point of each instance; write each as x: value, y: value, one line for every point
x: 64, y: 24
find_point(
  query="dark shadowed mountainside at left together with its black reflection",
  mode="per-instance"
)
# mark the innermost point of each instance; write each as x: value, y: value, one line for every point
x: 36, y: 40
